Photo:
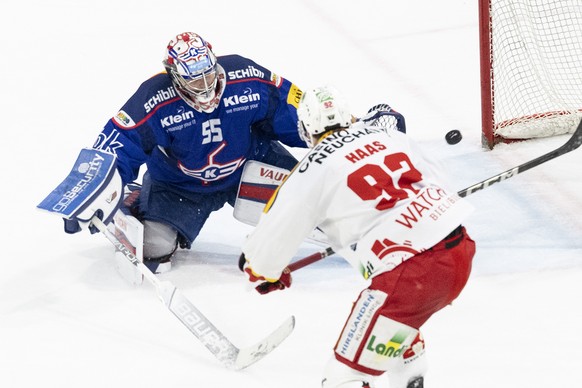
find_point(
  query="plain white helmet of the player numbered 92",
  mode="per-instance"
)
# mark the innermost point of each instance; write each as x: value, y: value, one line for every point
x: 320, y: 110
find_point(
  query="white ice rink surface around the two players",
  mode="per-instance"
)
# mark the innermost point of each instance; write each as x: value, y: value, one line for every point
x: 68, y: 320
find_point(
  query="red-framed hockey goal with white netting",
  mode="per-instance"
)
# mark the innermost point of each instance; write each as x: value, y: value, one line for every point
x: 531, y: 68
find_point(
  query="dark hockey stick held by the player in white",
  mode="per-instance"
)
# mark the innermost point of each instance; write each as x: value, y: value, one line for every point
x: 573, y: 143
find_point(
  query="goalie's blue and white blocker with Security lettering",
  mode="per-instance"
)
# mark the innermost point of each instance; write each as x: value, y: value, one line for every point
x: 92, y: 188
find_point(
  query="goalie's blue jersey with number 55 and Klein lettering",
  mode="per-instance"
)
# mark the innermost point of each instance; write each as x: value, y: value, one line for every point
x: 203, y: 152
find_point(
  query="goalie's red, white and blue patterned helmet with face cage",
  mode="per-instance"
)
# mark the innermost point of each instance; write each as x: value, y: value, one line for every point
x: 194, y: 70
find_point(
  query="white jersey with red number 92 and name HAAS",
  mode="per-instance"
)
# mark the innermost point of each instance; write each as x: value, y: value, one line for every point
x: 378, y: 200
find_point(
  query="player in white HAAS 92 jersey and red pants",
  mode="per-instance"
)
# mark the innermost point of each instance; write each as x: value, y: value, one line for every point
x: 385, y: 208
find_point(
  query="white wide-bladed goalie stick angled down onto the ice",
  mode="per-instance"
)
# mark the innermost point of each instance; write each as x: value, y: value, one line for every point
x: 221, y: 347
